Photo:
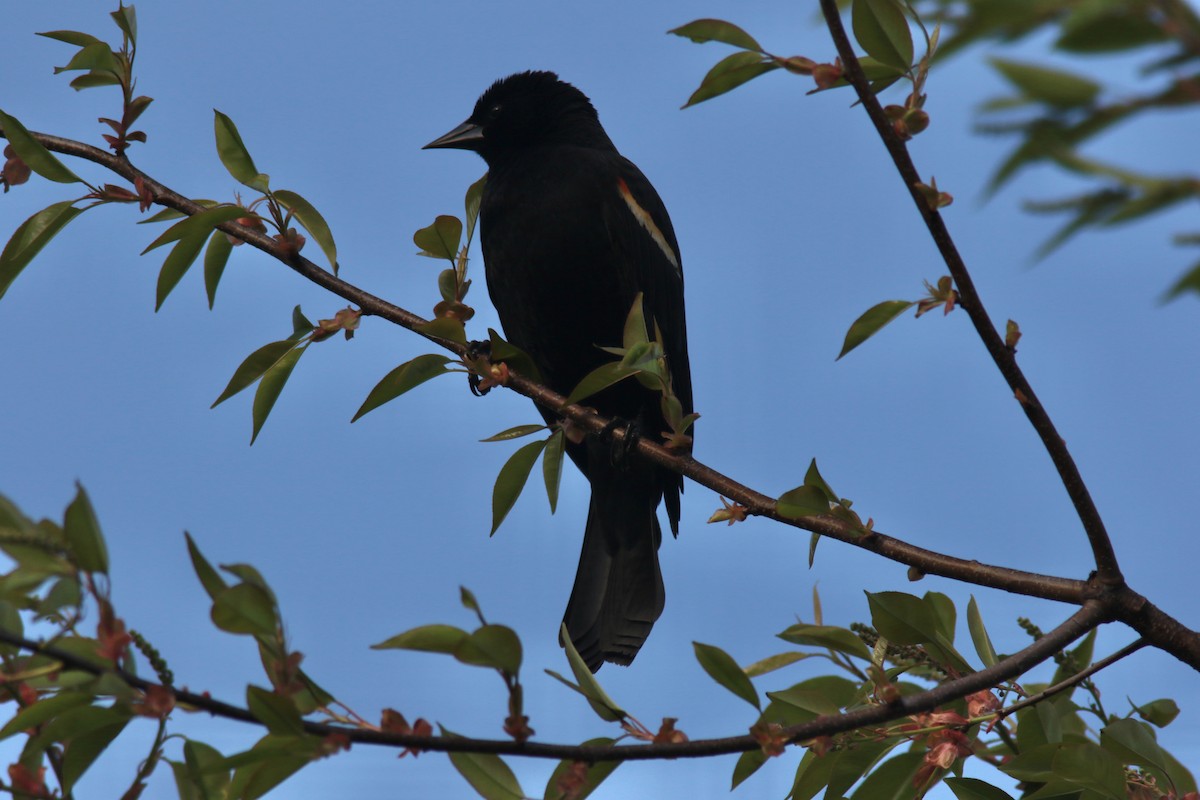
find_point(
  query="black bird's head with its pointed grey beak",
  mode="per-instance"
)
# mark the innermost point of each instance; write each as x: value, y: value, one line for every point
x: 527, y: 110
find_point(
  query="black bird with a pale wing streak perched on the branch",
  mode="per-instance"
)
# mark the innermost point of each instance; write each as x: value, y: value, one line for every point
x: 572, y: 232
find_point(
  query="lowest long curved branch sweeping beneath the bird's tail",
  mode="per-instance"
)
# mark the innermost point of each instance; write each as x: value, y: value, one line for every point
x: 1077, y: 625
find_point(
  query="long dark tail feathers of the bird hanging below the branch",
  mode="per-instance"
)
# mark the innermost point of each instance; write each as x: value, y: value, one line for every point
x: 619, y: 587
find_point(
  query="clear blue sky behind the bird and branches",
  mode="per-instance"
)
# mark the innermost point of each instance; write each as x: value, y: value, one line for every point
x: 791, y: 222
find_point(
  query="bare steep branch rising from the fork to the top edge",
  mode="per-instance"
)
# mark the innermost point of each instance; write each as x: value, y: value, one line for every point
x: 1108, y: 570
